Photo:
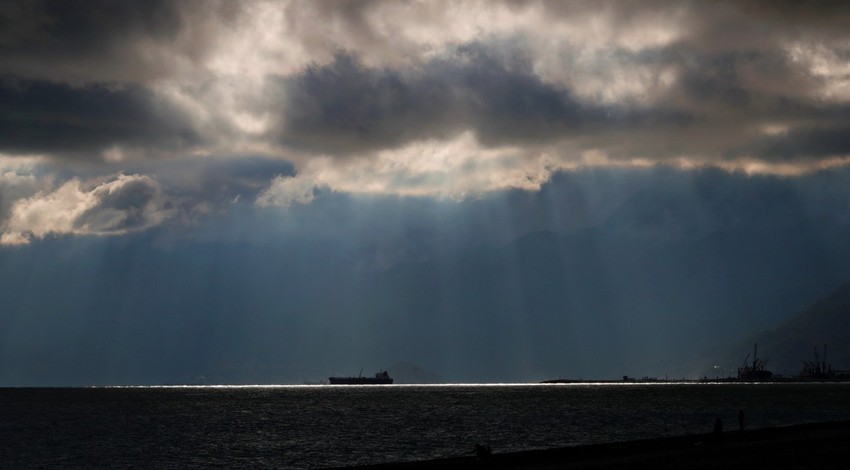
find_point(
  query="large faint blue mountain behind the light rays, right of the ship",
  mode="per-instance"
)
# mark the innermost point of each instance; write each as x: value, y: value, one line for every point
x: 665, y: 281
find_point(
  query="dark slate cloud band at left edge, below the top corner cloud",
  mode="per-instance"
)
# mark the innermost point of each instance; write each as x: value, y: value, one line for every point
x: 82, y: 121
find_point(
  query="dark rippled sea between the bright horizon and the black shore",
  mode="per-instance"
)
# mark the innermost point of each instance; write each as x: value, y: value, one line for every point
x: 334, y: 426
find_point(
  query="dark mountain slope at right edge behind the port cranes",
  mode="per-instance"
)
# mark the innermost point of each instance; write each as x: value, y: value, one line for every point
x: 826, y: 322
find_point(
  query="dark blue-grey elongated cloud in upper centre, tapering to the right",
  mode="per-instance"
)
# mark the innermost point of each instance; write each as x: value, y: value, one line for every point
x: 348, y: 107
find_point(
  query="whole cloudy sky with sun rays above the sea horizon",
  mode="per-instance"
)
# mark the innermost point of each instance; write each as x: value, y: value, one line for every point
x: 494, y: 190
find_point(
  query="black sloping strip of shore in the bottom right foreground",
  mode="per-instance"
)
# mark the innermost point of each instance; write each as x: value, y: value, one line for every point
x: 820, y: 445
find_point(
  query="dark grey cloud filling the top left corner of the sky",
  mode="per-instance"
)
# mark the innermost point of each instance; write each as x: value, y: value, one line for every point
x: 104, y: 40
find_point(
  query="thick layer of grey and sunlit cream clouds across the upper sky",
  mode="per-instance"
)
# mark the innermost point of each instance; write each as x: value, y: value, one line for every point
x: 417, y: 98
